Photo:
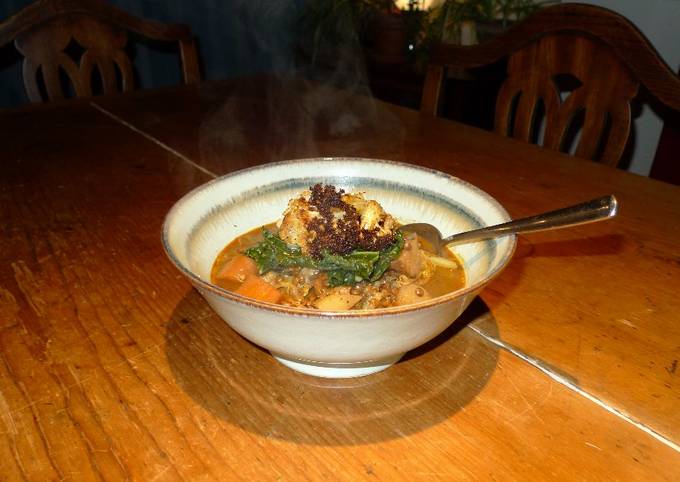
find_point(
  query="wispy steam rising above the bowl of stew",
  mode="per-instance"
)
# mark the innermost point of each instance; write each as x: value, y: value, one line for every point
x: 314, y: 101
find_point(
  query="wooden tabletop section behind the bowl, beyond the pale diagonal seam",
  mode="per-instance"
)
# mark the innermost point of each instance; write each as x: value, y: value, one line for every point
x: 598, y: 302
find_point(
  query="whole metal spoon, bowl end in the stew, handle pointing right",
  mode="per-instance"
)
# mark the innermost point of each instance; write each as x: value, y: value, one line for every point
x: 587, y: 212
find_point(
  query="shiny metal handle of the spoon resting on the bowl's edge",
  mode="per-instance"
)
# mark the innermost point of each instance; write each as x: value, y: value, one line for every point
x: 587, y: 212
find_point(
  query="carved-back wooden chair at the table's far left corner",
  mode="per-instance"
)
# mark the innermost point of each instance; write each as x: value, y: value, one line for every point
x: 44, y: 33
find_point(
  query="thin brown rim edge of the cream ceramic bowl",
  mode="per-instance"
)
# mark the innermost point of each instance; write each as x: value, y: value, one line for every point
x: 311, y: 312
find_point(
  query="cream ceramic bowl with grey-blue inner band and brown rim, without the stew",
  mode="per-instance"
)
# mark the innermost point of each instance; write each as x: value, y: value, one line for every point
x: 334, y: 344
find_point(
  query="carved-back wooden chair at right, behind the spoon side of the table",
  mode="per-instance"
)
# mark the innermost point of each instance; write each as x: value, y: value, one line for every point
x: 608, y: 57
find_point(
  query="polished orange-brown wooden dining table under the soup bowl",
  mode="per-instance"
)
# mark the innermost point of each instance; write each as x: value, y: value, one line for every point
x: 113, y: 367
